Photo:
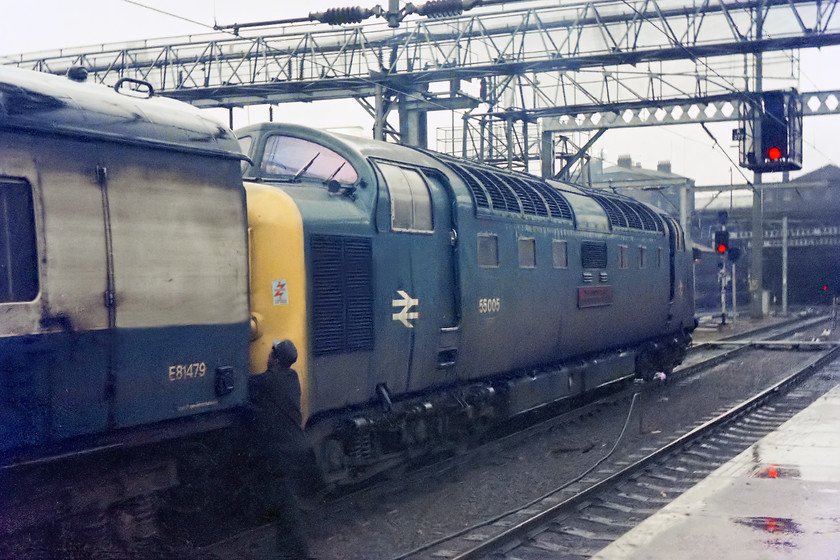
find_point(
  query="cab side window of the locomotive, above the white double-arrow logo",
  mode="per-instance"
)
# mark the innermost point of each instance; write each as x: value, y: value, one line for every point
x: 411, y: 201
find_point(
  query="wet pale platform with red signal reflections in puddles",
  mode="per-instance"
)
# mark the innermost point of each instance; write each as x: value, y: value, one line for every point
x: 778, y: 499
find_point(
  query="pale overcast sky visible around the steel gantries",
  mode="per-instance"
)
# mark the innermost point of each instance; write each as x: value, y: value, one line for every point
x: 38, y: 25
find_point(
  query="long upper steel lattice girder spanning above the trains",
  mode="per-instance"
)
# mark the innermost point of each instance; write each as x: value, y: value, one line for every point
x: 306, y: 62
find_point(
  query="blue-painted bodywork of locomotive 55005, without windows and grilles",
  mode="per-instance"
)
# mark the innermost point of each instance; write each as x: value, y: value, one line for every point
x: 539, y: 321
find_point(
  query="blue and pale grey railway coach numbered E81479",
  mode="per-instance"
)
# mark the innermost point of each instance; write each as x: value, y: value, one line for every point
x: 124, y: 314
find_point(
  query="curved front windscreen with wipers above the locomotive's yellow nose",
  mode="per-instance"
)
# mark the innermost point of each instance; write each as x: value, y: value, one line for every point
x: 286, y: 156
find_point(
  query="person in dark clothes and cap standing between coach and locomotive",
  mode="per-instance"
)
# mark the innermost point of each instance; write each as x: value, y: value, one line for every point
x: 279, y: 447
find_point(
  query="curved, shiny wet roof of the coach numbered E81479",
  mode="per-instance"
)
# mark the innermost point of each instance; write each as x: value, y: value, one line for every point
x: 48, y: 104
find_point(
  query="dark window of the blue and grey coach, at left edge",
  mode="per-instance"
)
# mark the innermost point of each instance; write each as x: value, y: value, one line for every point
x: 18, y: 250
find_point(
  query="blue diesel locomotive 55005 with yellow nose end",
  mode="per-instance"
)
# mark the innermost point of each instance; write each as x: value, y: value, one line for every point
x: 432, y: 297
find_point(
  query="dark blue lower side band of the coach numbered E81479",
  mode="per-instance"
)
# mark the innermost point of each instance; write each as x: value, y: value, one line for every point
x: 53, y: 387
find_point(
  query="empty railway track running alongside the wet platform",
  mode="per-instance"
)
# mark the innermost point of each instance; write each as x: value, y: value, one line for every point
x: 582, y: 516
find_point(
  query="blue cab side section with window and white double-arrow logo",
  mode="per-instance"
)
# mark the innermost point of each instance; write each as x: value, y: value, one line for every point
x: 417, y: 242
